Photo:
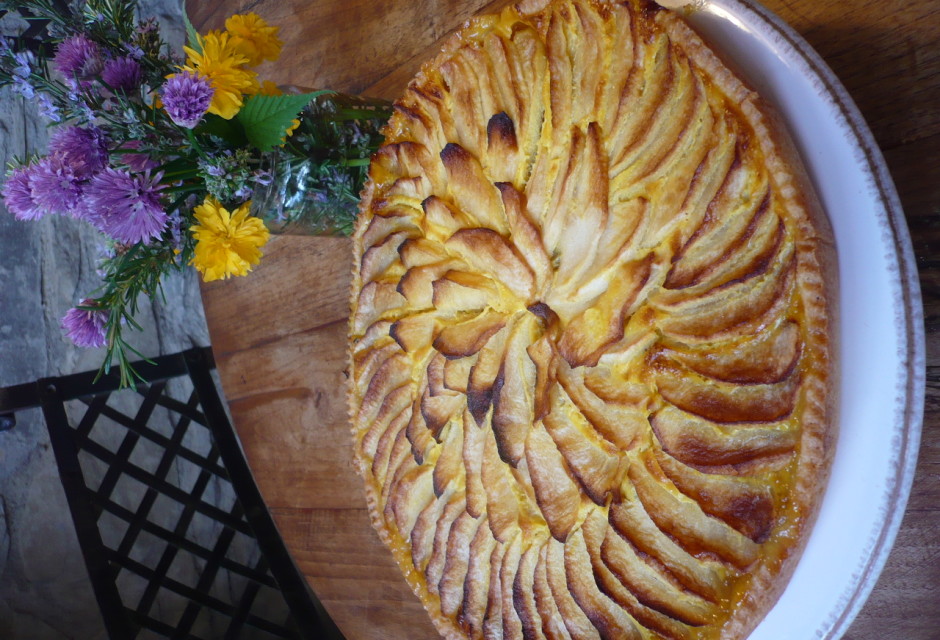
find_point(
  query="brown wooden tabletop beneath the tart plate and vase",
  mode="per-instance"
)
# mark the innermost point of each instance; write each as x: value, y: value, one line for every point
x: 279, y: 335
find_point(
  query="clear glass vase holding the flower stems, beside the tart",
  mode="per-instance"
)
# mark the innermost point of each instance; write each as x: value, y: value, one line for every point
x: 311, y: 184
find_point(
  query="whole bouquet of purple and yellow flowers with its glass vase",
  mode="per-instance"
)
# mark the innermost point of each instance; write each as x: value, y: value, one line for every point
x: 179, y: 159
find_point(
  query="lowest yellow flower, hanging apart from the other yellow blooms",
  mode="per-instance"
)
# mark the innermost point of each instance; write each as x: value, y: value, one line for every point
x: 227, y: 244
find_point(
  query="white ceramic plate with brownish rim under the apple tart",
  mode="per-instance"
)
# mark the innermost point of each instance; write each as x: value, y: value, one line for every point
x: 881, y: 354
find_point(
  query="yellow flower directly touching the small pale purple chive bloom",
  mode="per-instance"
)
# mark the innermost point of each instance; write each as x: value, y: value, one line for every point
x: 223, y: 65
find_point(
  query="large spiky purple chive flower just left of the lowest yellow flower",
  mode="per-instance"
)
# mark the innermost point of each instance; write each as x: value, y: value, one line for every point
x: 125, y: 206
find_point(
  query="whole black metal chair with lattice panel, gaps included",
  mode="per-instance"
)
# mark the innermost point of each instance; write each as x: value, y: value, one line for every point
x: 175, y: 535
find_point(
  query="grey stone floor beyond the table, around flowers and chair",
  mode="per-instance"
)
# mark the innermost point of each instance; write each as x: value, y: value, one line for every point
x: 46, y: 268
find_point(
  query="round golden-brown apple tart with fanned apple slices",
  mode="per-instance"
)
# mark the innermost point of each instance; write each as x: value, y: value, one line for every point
x: 591, y: 333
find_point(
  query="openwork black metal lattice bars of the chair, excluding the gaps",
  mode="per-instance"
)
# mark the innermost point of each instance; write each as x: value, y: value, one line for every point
x: 248, y: 516
